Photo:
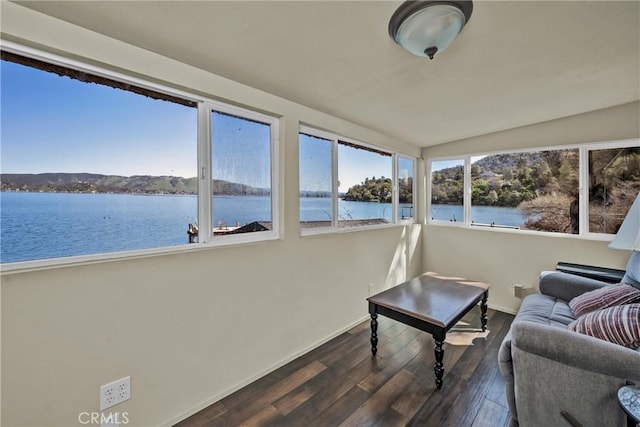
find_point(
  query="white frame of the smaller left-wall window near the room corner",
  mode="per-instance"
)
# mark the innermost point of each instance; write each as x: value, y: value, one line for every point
x: 335, y: 140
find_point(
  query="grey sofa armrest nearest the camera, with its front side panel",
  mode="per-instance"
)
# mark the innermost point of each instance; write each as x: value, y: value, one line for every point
x: 556, y: 372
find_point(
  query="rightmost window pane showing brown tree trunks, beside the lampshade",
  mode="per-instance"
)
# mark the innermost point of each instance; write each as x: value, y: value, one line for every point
x: 614, y: 182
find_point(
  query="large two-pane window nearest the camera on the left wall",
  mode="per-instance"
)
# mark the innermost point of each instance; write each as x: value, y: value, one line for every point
x: 94, y: 163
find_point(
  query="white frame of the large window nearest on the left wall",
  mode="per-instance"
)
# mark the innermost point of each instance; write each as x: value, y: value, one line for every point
x: 205, y: 106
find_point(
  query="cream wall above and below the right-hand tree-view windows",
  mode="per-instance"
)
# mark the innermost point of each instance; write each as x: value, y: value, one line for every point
x: 506, y: 258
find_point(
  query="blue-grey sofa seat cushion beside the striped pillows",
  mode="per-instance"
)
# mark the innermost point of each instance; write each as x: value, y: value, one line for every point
x: 546, y: 310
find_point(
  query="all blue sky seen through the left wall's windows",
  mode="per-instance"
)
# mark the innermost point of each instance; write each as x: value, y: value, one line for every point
x: 56, y: 124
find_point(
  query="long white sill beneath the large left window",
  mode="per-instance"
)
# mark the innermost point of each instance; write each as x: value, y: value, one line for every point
x: 80, y: 260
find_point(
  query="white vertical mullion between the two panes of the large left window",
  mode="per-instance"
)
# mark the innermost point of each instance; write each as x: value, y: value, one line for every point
x: 205, y: 201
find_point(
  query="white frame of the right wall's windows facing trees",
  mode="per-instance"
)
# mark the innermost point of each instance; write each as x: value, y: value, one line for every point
x: 583, y: 187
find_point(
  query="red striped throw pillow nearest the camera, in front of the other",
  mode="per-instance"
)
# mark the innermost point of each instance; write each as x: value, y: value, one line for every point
x: 619, y: 325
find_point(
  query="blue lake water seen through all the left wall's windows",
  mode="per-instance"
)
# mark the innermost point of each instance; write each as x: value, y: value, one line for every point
x: 50, y: 225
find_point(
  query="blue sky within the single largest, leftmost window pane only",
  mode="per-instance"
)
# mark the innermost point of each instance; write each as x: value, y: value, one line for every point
x: 56, y: 124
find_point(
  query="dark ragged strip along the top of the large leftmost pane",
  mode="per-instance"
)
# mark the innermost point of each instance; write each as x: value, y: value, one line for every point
x: 90, y: 78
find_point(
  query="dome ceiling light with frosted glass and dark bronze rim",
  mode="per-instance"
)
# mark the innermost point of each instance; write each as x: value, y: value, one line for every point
x: 426, y: 28
